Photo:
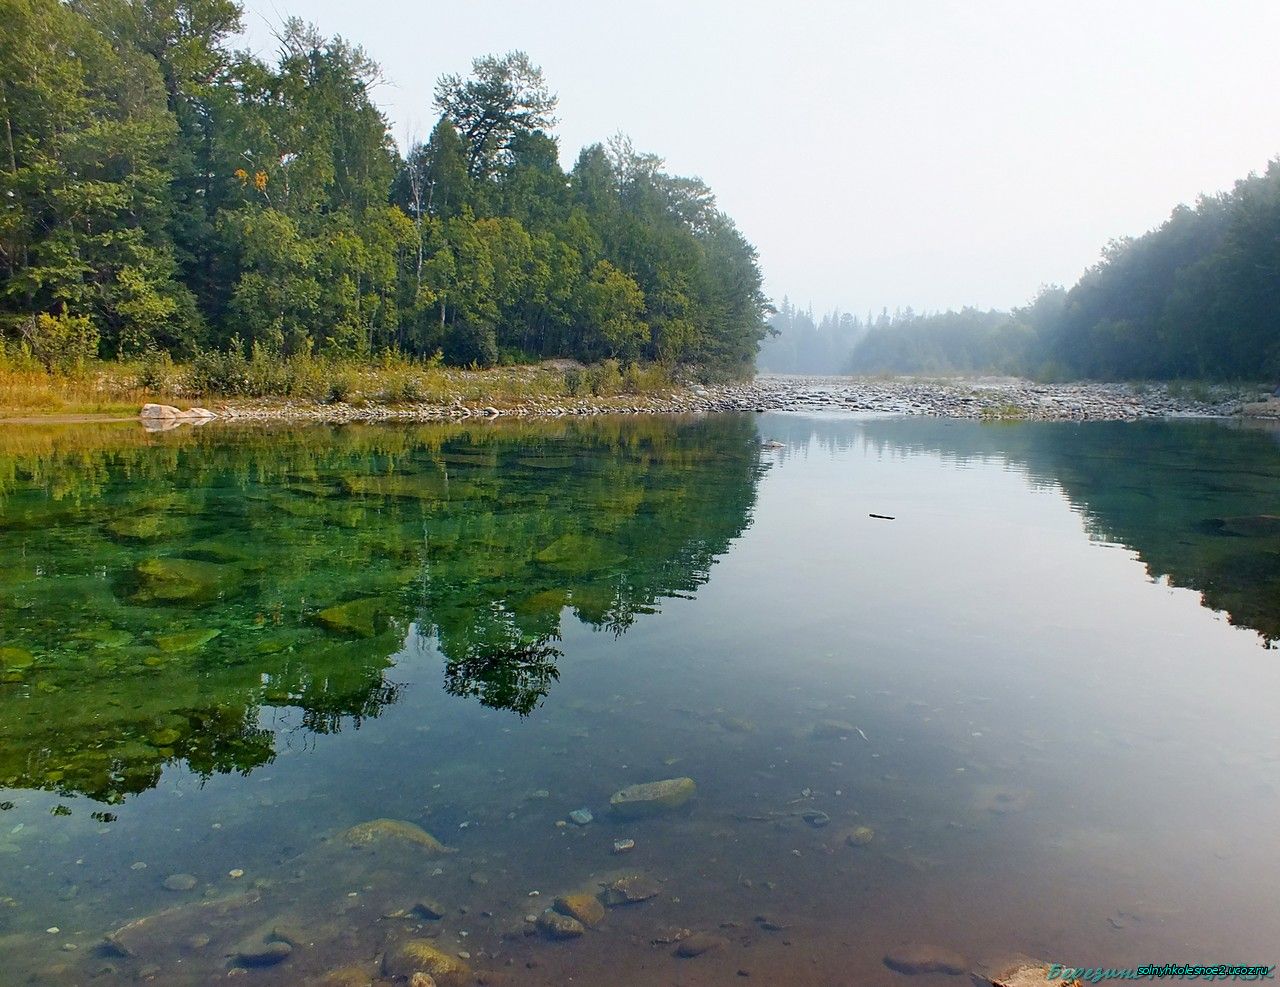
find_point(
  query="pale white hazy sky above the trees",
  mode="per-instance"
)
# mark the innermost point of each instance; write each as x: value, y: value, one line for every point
x: 930, y: 154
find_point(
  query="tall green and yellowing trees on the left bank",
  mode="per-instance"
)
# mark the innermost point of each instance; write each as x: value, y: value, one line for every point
x: 161, y: 193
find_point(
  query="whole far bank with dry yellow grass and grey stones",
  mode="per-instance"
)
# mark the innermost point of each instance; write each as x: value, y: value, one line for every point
x: 552, y: 391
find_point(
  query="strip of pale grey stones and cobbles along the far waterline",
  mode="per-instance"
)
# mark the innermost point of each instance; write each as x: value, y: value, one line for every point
x: 957, y: 399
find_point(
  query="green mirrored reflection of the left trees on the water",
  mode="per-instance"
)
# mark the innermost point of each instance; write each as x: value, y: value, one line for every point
x: 162, y: 592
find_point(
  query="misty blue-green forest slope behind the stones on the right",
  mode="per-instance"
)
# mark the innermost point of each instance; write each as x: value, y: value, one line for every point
x: 1196, y: 299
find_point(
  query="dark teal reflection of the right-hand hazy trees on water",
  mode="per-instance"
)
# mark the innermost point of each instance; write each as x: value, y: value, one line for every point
x: 1200, y: 502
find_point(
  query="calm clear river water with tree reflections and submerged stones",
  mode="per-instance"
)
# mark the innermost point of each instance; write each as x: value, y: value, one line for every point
x: 1048, y: 686
